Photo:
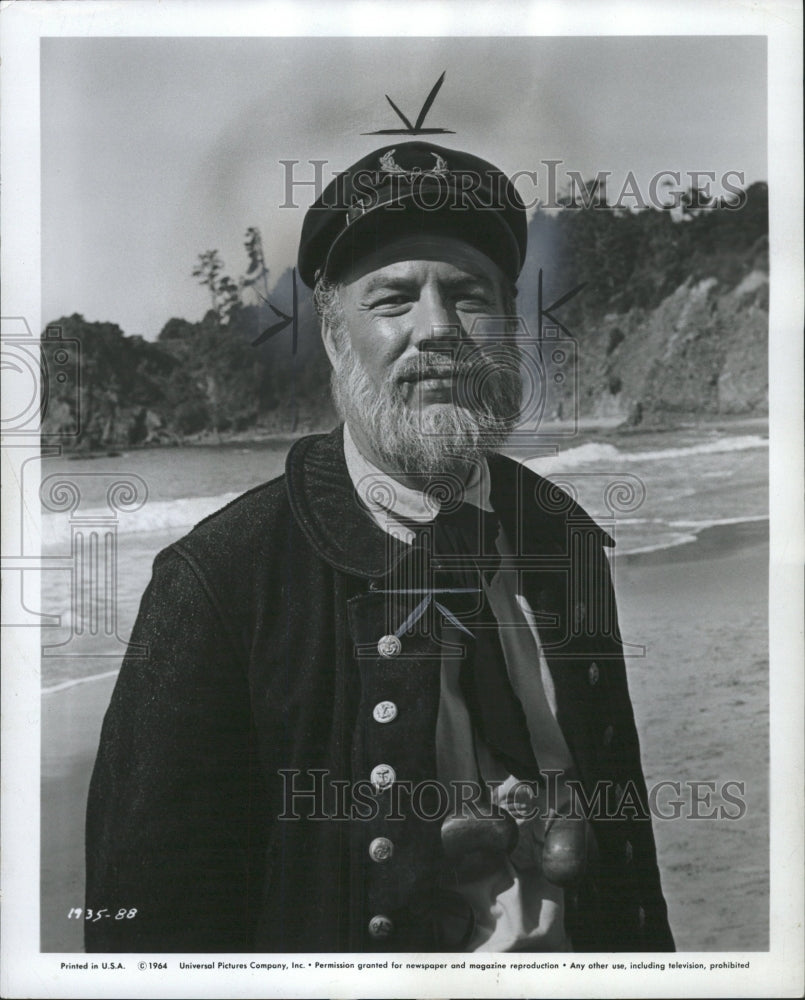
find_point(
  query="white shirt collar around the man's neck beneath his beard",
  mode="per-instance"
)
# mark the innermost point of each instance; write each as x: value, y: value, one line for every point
x: 384, y: 497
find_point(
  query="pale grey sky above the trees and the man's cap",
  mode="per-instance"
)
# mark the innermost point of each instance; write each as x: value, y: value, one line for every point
x: 156, y: 149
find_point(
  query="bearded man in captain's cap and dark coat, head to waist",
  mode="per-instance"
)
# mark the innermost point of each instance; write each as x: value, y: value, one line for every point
x: 379, y: 687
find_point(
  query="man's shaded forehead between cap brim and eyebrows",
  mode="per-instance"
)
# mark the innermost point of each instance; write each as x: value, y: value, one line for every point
x: 409, y: 257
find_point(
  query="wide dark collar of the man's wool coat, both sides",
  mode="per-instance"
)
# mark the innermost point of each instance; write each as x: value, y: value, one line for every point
x: 344, y: 534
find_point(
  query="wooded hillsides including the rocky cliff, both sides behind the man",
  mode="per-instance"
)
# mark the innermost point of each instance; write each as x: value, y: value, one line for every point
x: 251, y: 365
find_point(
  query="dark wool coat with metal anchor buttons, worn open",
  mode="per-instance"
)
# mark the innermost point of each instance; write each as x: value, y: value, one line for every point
x: 262, y: 627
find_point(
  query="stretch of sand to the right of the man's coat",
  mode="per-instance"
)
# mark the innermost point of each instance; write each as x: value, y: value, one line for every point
x: 701, y: 701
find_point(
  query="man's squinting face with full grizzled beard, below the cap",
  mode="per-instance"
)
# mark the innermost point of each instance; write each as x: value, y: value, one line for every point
x: 416, y: 373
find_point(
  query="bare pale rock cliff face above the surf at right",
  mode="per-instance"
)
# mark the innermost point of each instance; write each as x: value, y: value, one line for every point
x: 702, y: 350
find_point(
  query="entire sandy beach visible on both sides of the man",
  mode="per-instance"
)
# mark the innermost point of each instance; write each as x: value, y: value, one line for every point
x: 700, y: 694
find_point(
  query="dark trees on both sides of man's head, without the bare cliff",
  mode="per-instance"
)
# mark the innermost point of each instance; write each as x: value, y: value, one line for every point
x: 222, y: 373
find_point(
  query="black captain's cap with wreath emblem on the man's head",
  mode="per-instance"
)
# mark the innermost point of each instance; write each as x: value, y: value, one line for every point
x: 407, y: 189
